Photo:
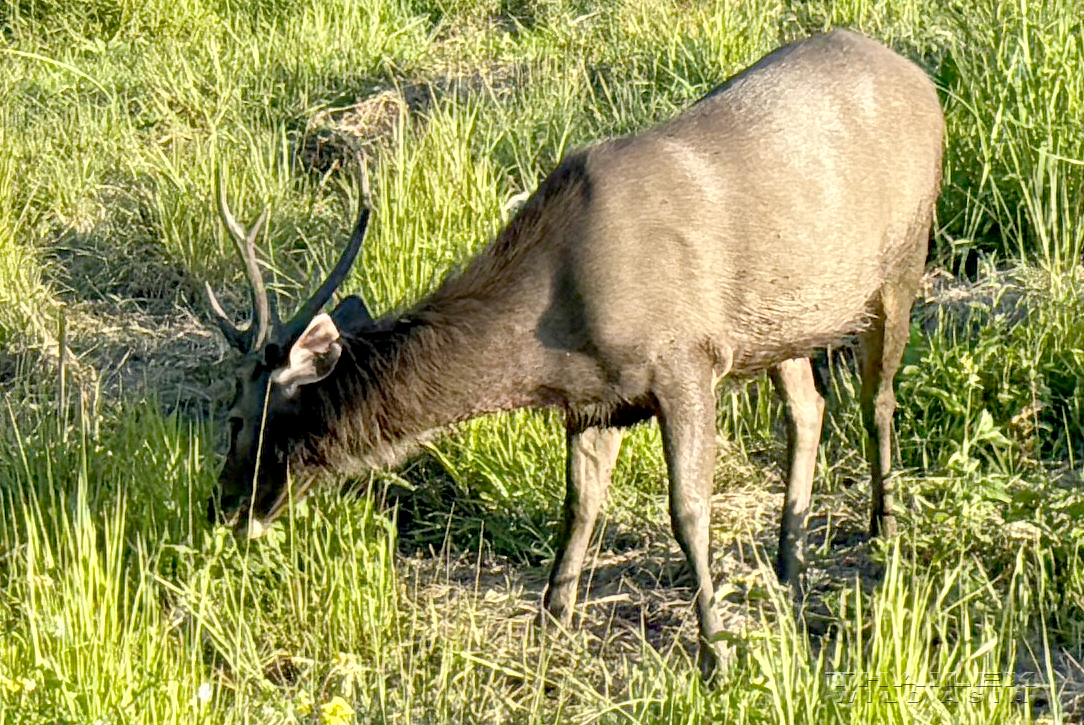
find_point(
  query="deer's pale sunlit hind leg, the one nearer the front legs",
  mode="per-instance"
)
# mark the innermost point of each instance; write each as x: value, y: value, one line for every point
x: 805, y: 411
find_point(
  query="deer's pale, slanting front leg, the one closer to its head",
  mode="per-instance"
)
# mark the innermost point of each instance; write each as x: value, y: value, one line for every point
x: 589, y: 464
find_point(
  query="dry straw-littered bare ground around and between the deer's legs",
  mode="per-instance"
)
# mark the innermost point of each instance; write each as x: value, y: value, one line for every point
x: 636, y: 588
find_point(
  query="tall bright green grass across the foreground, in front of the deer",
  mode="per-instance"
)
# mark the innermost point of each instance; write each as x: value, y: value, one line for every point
x: 117, y: 615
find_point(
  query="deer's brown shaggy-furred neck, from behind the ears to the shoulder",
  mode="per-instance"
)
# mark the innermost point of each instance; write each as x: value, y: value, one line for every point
x: 471, y: 348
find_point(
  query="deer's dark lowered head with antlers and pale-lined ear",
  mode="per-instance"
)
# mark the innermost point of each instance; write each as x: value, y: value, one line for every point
x: 279, y: 361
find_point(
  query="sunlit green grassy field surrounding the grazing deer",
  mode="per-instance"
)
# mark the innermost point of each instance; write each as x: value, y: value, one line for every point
x: 411, y: 597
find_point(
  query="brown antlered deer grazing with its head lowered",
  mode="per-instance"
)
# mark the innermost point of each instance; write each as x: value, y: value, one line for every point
x: 786, y: 212
